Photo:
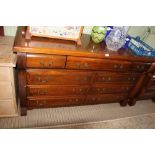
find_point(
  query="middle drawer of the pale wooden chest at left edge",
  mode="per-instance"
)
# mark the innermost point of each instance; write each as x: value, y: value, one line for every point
x: 5, y: 90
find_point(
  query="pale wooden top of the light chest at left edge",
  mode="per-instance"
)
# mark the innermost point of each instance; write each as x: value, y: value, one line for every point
x: 7, y: 57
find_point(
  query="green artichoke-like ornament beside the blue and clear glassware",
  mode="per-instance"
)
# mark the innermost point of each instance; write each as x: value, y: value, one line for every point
x: 98, y: 33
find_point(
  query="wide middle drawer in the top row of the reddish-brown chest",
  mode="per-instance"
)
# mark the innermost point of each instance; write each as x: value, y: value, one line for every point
x: 96, y: 64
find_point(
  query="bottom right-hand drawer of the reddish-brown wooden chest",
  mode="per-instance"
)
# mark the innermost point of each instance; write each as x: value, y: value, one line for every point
x: 105, y: 98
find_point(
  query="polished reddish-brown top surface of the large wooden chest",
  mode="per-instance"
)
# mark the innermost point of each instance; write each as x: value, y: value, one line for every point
x: 63, y: 47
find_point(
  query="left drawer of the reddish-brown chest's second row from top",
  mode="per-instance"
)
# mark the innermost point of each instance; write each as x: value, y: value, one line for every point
x: 59, y: 77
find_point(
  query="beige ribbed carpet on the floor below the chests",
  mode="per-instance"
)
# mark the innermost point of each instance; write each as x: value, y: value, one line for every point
x: 142, y: 115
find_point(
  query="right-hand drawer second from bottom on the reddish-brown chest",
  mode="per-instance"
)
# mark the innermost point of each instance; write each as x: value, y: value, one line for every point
x: 110, y: 88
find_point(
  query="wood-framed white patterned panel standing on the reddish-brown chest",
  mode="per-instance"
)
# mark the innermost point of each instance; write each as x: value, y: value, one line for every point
x: 59, y: 32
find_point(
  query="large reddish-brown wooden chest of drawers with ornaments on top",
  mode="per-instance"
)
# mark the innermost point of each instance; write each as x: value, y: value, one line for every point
x: 58, y: 73
